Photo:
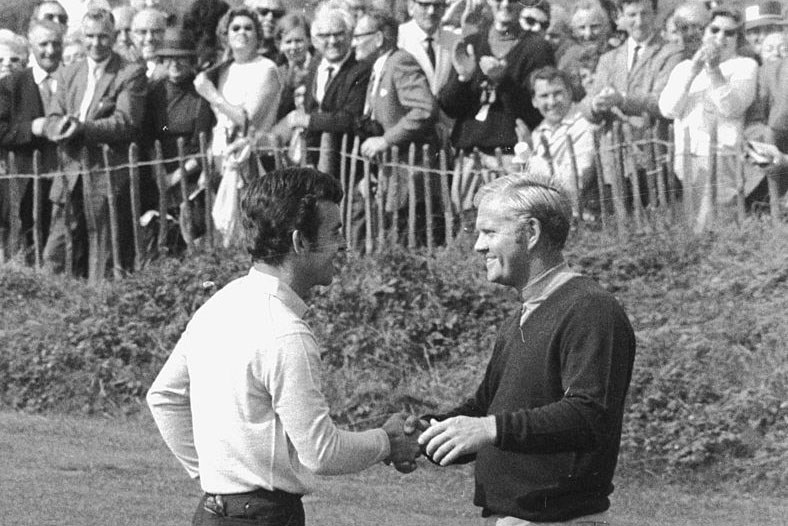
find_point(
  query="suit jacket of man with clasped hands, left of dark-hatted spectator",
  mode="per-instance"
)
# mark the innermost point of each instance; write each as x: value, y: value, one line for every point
x: 115, y: 118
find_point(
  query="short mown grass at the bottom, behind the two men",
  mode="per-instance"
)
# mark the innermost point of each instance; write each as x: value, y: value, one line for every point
x: 77, y: 471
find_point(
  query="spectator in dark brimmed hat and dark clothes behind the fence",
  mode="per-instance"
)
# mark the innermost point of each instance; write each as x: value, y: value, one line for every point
x: 174, y: 110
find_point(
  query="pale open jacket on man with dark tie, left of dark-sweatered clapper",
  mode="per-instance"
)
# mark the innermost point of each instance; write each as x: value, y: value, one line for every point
x: 411, y: 39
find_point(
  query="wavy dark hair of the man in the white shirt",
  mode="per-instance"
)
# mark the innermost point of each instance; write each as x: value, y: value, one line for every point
x: 280, y: 202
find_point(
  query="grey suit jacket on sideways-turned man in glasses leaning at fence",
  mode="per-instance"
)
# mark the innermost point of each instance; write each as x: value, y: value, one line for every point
x: 403, y: 103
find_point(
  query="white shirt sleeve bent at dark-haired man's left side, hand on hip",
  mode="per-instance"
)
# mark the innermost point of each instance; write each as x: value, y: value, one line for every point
x: 169, y: 402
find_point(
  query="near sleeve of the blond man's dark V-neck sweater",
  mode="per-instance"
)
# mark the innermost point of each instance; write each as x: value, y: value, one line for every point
x: 597, y: 351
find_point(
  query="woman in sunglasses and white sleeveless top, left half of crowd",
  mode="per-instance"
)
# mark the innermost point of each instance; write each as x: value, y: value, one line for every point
x: 244, y: 90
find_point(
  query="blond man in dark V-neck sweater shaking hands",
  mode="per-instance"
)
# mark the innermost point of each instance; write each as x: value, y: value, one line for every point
x: 544, y: 426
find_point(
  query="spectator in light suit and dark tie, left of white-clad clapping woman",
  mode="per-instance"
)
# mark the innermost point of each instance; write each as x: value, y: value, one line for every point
x: 627, y: 84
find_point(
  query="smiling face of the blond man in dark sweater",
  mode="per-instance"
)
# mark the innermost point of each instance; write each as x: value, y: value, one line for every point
x: 502, y: 243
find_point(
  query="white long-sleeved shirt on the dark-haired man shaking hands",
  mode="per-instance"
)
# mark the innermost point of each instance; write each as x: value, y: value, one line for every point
x: 239, y: 400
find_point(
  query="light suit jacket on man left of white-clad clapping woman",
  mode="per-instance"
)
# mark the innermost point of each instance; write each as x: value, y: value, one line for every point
x: 642, y: 87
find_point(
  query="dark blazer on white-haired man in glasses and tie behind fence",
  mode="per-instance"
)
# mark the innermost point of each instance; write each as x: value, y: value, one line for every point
x: 343, y: 102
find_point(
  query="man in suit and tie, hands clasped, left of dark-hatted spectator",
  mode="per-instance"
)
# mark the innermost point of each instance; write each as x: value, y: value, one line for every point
x: 100, y: 100
